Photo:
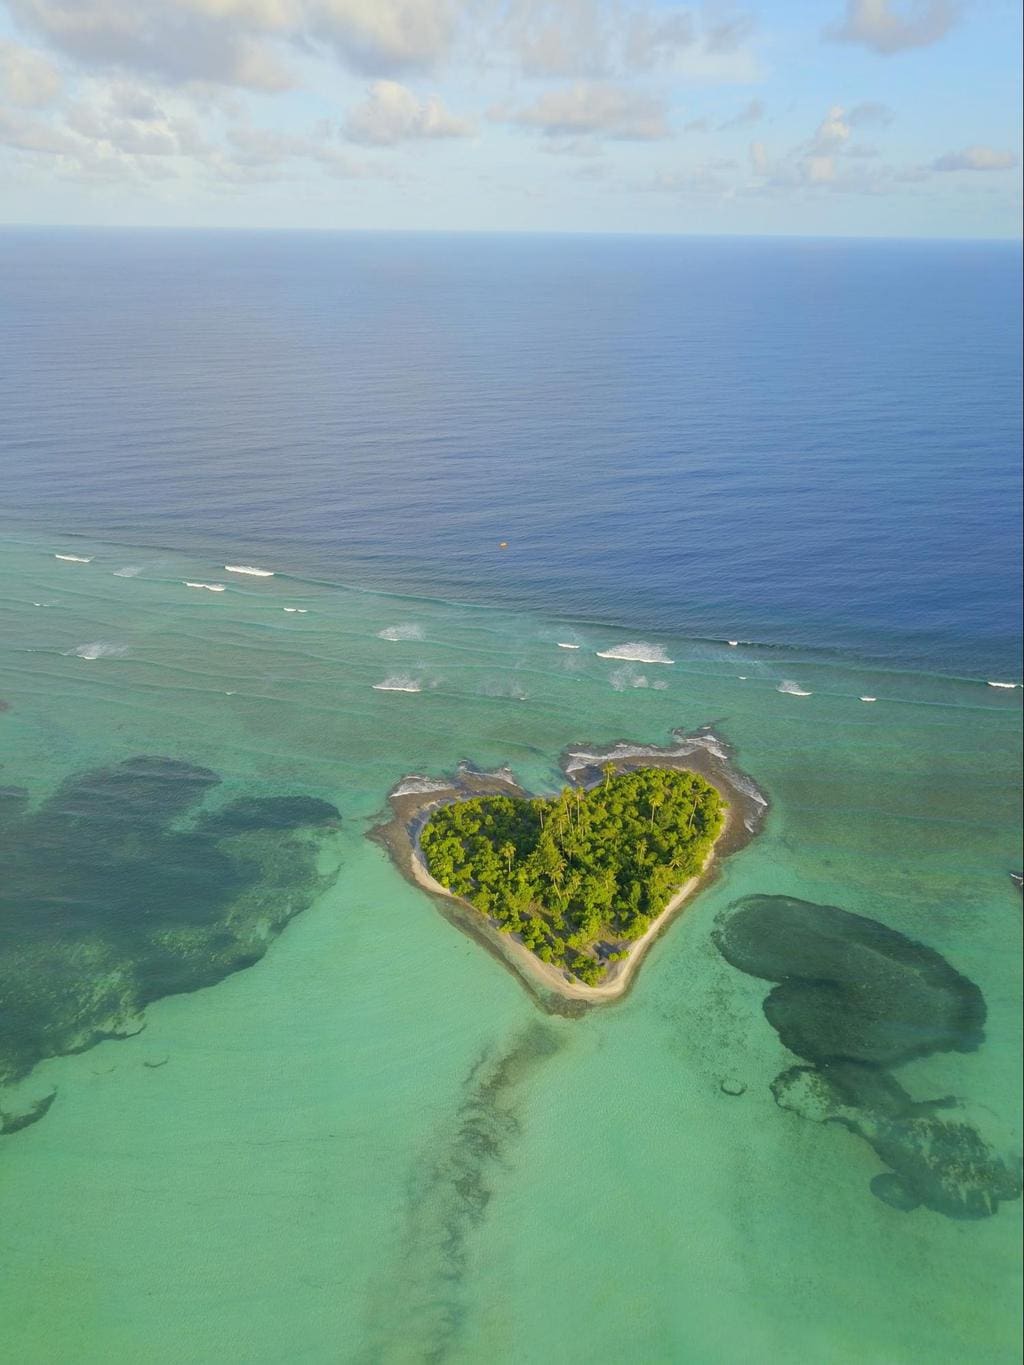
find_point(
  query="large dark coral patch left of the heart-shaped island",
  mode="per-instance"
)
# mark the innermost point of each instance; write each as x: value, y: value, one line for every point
x: 110, y: 900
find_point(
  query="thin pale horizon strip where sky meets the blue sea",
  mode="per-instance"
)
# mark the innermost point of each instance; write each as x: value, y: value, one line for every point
x: 500, y: 233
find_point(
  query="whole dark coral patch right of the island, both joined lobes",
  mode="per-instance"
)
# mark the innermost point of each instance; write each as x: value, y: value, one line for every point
x: 854, y: 998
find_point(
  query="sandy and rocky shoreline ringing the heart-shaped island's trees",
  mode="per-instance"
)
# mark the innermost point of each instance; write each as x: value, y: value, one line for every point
x: 416, y: 798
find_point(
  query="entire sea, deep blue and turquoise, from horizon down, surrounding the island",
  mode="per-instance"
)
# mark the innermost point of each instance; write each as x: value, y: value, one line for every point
x: 331, y: 1127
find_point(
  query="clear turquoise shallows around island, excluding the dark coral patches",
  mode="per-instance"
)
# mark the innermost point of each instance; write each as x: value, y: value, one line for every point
x: 372, y: 1146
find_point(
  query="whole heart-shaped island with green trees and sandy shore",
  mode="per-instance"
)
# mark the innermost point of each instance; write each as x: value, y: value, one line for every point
x: 571, y: 889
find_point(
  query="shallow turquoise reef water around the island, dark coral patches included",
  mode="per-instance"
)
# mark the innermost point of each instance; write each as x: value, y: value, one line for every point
x: 369, y: 1145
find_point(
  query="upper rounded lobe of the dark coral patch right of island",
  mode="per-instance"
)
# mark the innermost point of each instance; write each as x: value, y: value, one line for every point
x: 850, y: 988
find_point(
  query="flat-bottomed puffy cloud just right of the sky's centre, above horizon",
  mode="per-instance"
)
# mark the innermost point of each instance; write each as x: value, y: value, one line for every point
x: 593, y: 110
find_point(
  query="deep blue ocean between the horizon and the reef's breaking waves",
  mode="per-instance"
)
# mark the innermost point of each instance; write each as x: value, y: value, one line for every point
x: 810, y: 443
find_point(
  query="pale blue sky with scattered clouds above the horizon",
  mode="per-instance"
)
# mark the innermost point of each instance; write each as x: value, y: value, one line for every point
x: 851, y: 118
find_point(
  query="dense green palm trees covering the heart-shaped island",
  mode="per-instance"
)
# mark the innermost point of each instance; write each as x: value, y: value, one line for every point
x: 582, y: 874
